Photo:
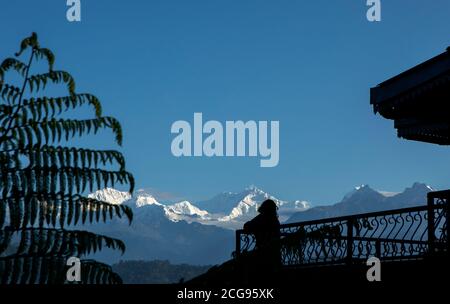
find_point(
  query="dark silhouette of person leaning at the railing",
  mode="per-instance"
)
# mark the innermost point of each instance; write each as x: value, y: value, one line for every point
x: 266, y: 229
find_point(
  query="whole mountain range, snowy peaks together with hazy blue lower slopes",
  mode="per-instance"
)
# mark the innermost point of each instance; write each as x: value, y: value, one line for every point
x: 202, y: 233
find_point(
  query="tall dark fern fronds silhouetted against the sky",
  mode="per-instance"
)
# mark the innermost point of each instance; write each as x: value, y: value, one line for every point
x: 43, y: 183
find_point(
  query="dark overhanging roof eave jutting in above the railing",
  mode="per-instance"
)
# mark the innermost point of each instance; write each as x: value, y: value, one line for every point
x: 418, y: 100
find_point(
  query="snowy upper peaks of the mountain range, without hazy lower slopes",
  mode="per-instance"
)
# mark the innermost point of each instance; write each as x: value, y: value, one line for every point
x: 232, y: 210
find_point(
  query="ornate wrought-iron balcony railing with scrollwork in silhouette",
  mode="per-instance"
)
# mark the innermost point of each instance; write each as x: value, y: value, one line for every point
x: 400, y: 234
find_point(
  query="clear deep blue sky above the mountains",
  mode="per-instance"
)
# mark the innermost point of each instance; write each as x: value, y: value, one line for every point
x: 308, y: 64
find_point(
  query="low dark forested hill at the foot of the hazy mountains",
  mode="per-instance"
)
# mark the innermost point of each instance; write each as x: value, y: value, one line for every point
x: 156, y: 272
